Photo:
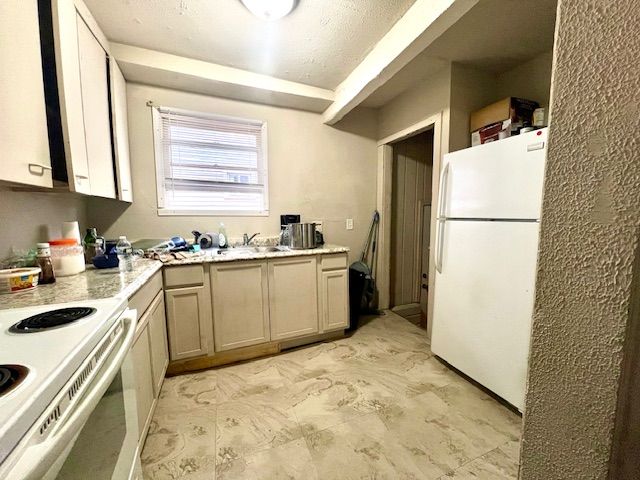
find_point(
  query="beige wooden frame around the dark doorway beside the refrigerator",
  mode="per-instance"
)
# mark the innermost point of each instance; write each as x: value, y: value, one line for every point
x: 383, y: 203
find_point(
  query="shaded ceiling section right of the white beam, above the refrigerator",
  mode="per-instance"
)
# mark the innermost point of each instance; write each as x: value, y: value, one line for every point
x: 494, y: 36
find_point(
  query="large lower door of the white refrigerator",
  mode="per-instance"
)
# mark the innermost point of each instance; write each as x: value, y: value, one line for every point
x: 484, y: 302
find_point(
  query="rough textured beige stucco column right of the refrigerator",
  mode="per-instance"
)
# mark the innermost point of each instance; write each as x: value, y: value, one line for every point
x: 589, y: 240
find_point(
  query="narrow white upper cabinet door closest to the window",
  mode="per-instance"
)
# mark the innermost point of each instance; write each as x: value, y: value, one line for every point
x: 120, y: 132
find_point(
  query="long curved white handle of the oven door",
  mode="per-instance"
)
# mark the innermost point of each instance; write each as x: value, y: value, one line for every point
x: 46, y: 453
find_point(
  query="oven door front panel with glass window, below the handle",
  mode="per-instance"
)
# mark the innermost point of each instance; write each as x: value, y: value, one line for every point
x: 106, y: 448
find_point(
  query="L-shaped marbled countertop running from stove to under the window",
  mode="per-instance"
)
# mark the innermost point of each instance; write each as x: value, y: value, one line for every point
x: 95, y: 284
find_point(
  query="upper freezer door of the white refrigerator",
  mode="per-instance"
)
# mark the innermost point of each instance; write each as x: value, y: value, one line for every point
x: 501, y: 179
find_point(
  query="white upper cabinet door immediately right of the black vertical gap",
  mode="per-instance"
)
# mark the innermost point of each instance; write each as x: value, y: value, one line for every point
x: 65, y: 31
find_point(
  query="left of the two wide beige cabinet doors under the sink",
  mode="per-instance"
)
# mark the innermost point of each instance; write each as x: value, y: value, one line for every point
x: 240, y: 304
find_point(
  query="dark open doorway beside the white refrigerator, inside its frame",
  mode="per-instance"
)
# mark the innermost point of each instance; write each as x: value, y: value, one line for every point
x: 412, y: 175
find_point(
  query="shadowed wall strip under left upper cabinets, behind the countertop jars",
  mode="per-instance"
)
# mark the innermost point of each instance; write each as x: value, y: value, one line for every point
x: 27, y: 218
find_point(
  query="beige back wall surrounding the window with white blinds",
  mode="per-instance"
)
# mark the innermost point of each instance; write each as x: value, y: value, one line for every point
x: 321, y: 172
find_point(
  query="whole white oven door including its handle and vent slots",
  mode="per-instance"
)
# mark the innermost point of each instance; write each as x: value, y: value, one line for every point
x: 95, y: 437
